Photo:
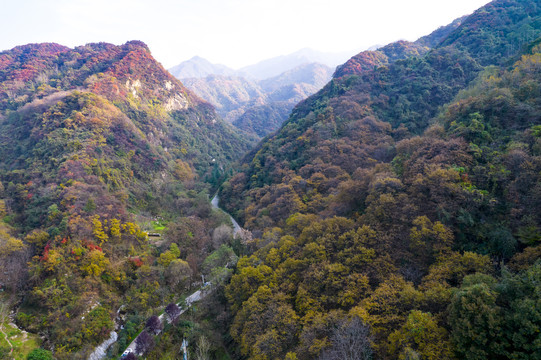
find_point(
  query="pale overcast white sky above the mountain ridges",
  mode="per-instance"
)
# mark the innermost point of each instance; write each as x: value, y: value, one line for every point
x: 232, y: 32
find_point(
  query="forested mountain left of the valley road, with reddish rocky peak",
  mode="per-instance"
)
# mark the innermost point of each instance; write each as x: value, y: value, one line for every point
x: 97, y: 144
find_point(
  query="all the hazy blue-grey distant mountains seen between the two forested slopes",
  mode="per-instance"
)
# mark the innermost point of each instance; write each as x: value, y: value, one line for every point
x: 259, y: 97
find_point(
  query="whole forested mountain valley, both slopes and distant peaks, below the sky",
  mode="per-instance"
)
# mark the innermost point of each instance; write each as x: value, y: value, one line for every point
x: 388, y: 207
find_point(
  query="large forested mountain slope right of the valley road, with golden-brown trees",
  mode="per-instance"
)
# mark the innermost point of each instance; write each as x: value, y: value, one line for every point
x: 396, y: 211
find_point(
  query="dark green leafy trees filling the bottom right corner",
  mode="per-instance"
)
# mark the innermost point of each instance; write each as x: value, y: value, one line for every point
x: 497, y: 319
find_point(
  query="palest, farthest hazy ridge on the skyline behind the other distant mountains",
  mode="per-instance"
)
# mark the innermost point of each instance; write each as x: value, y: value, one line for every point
x: 280, y: 64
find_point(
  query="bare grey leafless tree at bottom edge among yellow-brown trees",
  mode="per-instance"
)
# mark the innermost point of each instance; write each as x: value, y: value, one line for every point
x: 349, y: 341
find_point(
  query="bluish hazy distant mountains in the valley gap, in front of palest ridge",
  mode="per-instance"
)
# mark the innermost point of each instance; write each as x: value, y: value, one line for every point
x: 260, y: 107
